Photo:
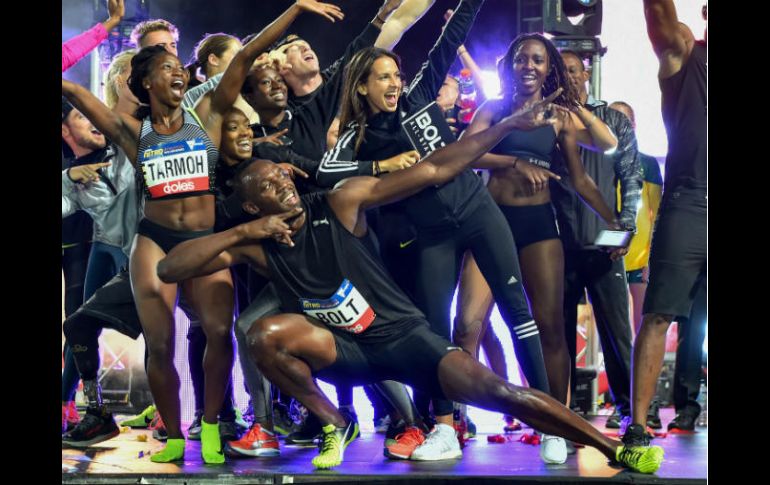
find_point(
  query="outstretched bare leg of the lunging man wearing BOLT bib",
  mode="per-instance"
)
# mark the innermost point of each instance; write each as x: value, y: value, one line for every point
x: 463, y: 379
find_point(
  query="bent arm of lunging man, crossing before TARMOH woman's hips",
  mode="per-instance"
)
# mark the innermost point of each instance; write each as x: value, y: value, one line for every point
x: 215, y: 252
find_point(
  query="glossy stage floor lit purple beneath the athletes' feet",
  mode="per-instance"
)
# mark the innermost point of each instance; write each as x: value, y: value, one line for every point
x: 119, y: 461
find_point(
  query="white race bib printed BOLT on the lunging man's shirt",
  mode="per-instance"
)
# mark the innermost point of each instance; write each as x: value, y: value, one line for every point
x: 346, y: 309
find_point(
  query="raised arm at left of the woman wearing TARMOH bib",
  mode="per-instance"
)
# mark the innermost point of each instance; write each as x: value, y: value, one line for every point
x: 120, y: 128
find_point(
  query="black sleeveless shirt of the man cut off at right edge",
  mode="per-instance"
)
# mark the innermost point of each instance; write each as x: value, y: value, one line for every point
x: 684, y: 114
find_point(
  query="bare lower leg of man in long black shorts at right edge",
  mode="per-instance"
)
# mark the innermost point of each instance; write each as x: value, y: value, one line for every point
x: 649, y: 348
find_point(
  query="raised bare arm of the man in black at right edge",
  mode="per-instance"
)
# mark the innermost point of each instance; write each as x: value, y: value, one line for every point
x: 668, y: 39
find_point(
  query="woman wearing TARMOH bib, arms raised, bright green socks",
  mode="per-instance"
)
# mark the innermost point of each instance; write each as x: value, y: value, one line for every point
x: 178, y: 208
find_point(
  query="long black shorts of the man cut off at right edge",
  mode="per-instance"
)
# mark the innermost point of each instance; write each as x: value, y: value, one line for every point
x: 678, y: 253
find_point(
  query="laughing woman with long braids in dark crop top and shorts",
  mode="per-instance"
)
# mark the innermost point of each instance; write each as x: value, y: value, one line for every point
x: 531, y: 70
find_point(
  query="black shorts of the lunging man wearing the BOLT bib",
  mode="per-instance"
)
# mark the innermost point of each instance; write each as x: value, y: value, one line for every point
x: 411, y: 358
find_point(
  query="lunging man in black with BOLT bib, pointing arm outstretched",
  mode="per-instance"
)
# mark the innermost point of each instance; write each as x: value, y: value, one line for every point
x: 349, y: 320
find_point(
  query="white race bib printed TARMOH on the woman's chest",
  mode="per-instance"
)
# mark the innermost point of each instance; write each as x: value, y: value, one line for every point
x: 176, y: 167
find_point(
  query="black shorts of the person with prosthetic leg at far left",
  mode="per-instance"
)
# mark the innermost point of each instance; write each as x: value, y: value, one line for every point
x: 114, y: 305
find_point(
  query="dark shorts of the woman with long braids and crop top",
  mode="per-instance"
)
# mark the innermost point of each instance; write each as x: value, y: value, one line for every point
x: 531, y: 223
